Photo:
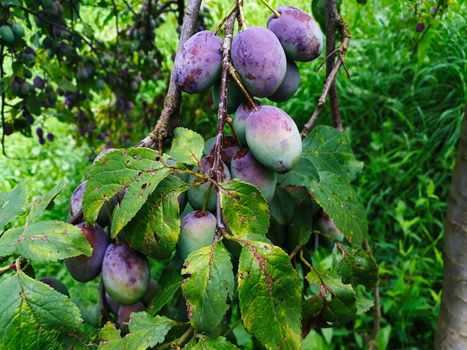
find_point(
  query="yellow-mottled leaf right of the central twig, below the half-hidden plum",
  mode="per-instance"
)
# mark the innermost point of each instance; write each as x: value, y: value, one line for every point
x: 244, y: 208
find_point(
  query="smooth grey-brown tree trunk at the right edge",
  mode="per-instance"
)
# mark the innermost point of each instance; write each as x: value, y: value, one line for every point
x: 452, y: 323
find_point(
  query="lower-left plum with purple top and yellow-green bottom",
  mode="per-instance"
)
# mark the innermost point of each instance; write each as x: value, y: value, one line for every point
x: 125, y: 273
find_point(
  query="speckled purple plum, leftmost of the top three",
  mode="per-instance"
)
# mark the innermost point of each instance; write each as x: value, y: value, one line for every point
x: 198, y: 63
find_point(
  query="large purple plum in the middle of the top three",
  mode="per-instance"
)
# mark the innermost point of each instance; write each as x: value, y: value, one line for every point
x: 260, y: 60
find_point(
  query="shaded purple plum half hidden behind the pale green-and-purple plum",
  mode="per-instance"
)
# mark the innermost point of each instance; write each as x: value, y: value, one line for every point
x: 245, y: 167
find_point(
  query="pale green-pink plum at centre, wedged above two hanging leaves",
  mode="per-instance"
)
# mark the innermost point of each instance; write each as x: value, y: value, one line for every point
x: 198, y: 230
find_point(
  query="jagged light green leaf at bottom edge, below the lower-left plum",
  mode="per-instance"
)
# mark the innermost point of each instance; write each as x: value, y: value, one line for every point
x: 145, y: 332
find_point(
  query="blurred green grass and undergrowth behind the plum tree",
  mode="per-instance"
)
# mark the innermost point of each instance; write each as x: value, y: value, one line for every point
x: 402, y: 109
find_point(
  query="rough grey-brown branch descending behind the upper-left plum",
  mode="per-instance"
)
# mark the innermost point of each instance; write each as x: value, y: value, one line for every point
x: 174, y: 95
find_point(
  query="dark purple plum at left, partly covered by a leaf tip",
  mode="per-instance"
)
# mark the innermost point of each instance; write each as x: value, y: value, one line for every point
x: 82, y: 267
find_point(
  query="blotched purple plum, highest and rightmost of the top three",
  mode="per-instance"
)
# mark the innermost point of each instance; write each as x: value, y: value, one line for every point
x: 298, y: 33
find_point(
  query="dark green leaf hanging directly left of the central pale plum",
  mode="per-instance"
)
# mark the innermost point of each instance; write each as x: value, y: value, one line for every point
x: 156, y: 228
